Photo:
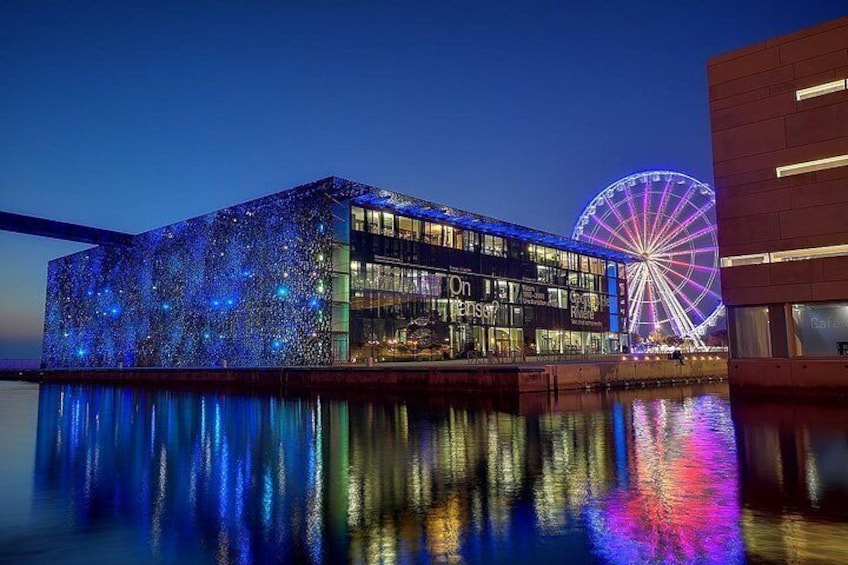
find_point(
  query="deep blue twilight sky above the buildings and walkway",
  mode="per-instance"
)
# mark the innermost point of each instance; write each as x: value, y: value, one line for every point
x: 128, y: 116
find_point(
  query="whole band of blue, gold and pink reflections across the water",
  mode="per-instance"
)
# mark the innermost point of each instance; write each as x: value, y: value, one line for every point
x: 134, y: 475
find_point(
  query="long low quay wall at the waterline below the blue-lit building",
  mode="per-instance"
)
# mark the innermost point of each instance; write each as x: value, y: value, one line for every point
x: 491, y: 379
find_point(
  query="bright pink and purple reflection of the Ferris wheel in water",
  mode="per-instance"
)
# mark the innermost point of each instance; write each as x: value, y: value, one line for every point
x: 681, y: 504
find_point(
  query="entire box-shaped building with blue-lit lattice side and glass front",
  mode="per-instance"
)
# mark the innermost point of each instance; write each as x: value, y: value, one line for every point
x: 333, y: 272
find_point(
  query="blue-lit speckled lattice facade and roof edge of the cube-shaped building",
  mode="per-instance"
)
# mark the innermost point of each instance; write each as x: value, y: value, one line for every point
x: 210, y: 289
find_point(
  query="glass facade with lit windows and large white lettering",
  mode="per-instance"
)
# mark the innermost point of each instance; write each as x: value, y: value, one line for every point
x: 430, y: 290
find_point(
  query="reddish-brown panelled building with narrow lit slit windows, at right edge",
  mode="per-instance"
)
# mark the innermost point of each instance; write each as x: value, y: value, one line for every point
x: 779, y: 113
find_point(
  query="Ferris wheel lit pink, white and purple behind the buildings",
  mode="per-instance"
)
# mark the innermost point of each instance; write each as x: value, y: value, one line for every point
x: 666, y: 221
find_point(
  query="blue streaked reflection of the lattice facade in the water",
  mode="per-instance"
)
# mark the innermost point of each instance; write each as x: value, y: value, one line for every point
x: 147, y: 461
